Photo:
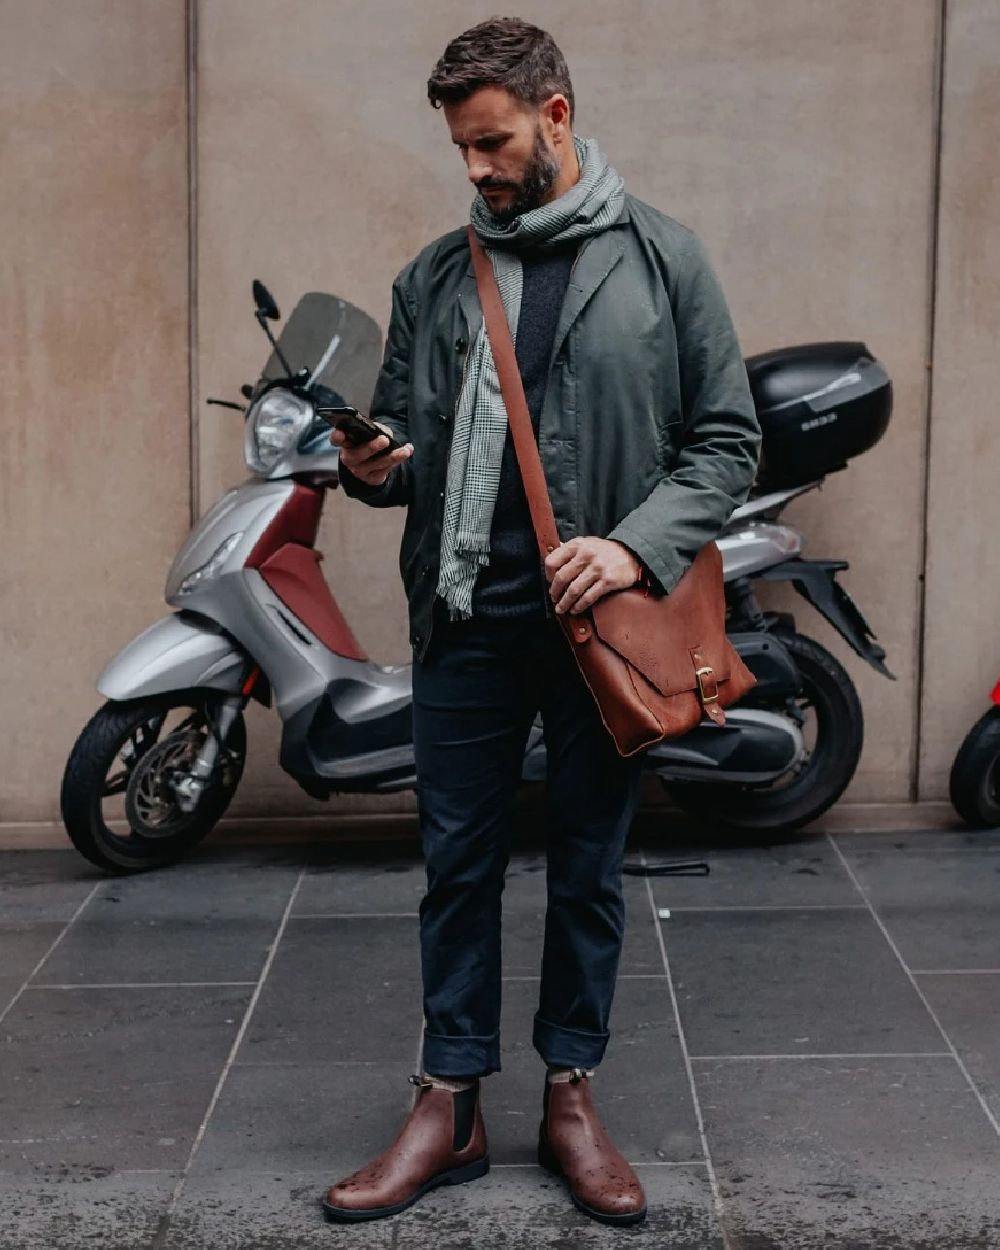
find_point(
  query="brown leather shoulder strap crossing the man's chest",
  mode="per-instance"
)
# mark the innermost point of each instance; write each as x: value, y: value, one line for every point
x: 514, y: 399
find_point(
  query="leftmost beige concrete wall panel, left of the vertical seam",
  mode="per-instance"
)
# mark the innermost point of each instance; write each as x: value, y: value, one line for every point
x: 94, y: 458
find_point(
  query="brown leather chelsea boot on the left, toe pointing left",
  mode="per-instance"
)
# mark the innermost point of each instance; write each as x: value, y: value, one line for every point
x: 443, y: 1142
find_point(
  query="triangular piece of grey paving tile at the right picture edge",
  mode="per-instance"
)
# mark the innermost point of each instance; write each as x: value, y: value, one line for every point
x: 969, y: 1011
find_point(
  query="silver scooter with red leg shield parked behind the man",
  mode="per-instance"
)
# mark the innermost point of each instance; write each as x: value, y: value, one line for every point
x: 254, y: 618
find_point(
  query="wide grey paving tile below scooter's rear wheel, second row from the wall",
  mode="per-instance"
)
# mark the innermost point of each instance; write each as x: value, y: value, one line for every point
x: 793, y: 983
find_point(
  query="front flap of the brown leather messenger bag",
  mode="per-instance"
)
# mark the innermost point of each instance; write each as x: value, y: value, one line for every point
x: 658, y: 633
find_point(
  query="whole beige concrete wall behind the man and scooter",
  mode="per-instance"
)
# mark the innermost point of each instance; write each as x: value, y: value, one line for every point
x: 797, y: 137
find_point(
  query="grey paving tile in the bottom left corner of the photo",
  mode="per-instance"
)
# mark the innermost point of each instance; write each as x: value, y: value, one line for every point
x: 99, y: 1209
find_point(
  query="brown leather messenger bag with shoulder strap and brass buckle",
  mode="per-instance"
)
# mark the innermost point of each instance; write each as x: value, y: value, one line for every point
x: 656, y: 664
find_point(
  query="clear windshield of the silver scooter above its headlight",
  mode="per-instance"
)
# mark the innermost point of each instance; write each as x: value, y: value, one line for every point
x: 337, y: 343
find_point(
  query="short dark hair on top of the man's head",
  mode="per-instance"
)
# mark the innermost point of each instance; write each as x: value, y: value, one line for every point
x: 503, y: 52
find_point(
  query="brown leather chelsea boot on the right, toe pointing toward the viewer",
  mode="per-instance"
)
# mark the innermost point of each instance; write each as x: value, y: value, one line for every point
x: 573, y: 1144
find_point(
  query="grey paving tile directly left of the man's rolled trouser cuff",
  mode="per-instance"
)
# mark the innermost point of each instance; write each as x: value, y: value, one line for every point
x: 341, y: 989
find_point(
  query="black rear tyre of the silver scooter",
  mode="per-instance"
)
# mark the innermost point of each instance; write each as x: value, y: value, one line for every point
x: 831, y: 716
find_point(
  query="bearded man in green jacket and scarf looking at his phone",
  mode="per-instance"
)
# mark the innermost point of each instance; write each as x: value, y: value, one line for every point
x: 648, y: 438
